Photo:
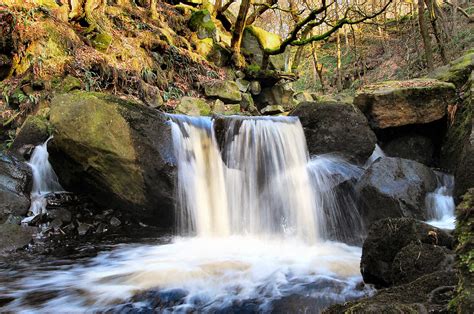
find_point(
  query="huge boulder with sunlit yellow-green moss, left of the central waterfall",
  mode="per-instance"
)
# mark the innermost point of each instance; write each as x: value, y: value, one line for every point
x: 119, y: 152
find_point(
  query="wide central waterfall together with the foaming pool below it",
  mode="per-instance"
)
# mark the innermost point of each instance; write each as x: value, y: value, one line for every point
x: 259, y: 212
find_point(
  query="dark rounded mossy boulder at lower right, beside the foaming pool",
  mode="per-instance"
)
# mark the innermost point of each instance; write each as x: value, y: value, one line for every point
x: 389, y: 246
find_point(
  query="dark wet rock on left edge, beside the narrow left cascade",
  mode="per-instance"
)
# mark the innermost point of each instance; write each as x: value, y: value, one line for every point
x: 15, y: 187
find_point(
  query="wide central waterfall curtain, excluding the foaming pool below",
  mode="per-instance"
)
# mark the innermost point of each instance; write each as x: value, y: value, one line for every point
x: 255, y: 177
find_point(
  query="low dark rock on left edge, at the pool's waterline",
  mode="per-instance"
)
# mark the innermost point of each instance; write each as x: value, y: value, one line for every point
x: 13, y: 237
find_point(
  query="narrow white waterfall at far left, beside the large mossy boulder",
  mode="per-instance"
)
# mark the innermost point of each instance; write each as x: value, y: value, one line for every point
x: 45, y: 180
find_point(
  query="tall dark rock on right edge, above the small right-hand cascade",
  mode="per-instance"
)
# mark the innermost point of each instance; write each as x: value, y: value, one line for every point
x: 457, y: 151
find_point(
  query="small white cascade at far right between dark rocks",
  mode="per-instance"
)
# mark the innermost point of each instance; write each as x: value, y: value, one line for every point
x: 440, y: 203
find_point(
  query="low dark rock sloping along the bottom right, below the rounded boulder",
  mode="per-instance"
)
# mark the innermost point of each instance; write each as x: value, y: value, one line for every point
x: 428, y: 294
